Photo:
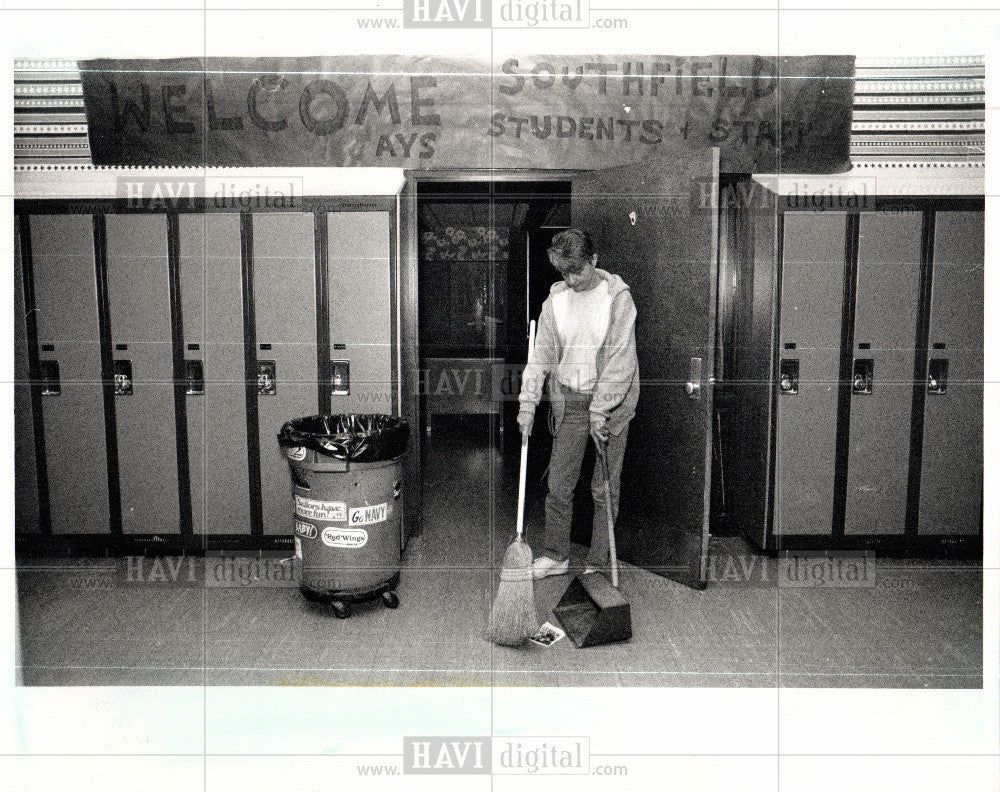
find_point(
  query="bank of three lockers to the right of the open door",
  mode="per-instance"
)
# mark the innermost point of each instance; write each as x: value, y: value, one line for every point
x: 878, y: 376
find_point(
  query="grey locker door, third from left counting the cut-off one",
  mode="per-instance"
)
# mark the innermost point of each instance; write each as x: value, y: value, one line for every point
x: 139, y: 315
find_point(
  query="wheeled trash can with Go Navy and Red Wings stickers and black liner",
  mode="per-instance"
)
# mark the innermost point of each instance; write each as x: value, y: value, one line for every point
x: 347, y: 494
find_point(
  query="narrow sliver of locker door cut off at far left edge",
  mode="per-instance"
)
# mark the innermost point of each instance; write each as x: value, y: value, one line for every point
x: 27, y: 518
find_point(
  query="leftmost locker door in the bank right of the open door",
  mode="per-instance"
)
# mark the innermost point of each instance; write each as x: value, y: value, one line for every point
x: 812, y: 295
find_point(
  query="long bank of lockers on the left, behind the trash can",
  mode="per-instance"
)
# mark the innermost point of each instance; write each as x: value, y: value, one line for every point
x: 157, y: 356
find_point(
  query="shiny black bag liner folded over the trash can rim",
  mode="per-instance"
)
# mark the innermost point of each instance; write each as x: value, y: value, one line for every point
x: 355, y: 437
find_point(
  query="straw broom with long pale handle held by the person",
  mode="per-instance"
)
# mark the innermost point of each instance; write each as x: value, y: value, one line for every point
x: 513, y: 618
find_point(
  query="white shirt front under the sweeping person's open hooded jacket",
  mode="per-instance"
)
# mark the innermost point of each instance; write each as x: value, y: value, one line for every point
x: 582, y: 320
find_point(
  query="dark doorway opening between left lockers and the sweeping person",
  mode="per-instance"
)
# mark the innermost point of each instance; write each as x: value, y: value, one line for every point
x: 483, y: 274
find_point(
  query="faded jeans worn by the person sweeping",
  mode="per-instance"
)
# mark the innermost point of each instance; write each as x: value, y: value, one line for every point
x: 568, y: 447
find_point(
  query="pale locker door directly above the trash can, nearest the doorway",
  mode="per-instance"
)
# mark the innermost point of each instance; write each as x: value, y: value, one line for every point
x: 361, y: 312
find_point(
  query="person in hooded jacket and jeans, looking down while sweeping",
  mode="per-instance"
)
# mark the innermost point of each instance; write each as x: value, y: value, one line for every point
x: 585, y: 346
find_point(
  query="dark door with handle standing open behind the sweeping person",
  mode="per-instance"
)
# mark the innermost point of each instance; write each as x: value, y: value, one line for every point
x: 656, y: 225
